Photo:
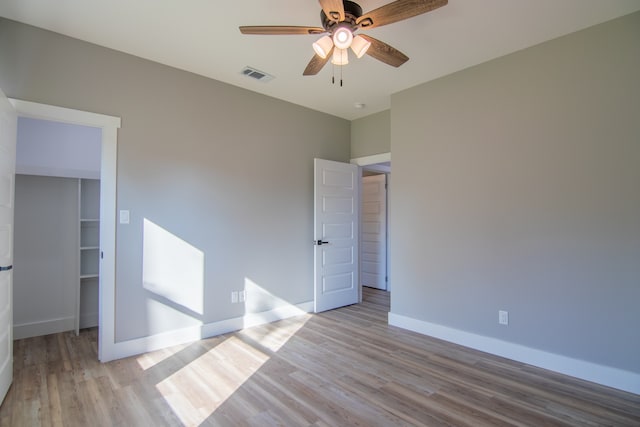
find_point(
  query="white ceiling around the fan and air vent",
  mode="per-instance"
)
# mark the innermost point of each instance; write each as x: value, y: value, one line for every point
x: 202, y: 36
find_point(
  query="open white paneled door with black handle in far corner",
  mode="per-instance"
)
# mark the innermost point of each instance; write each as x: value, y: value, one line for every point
x: 336, y: 234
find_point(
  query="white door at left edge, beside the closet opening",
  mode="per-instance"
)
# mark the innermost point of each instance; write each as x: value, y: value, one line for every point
x: 8, y: 126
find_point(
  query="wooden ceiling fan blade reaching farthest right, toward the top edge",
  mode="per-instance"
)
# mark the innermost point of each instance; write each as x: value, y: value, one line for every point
x: 397, y: 11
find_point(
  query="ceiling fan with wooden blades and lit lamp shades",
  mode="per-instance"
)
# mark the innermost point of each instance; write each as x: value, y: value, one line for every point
x: 341, y: 19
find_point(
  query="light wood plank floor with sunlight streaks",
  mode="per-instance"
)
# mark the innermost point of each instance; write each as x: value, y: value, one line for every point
x: 343, y: 367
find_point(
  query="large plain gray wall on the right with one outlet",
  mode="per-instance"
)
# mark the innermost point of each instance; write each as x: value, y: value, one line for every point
x: 517, y: 187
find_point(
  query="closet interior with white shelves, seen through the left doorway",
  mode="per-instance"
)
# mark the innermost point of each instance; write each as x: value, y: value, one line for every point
x: 57, y: 227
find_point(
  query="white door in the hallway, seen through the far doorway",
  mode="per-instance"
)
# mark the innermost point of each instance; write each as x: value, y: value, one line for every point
x: 373, y: 250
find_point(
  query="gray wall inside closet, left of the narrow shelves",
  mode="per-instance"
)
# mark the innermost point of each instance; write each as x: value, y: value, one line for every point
x: 45, y: 255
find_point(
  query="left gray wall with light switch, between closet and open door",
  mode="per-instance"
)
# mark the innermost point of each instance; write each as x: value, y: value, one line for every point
x: 222, y: 170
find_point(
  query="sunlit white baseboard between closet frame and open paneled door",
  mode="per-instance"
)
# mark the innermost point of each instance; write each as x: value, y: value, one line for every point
x: 182, y: 336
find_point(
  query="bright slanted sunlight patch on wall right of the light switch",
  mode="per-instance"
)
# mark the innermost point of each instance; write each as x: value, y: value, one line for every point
x: 172, y: 268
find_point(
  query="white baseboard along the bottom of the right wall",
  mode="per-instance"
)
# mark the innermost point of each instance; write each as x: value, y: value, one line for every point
x: 600, y: 374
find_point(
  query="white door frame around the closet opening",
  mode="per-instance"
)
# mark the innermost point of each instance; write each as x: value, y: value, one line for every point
x: 108, y: 168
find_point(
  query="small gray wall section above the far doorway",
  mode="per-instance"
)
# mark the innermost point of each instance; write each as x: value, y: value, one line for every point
x: 371, y: 135
